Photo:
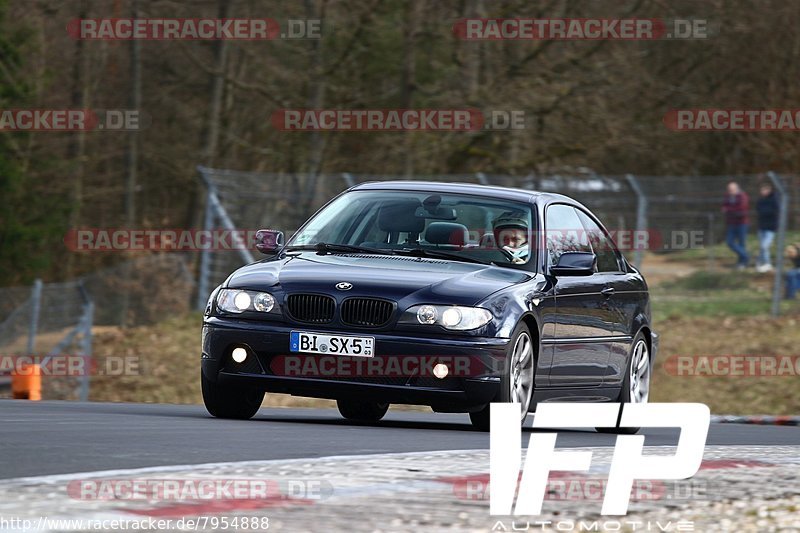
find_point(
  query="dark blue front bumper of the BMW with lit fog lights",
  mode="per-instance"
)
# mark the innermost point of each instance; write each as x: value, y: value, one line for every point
x: 469, y: 386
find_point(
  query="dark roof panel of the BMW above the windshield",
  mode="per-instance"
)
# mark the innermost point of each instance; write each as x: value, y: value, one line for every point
x: 490, y: 191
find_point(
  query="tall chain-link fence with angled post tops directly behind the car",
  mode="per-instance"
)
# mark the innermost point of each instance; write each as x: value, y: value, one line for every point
x: 676, y: 208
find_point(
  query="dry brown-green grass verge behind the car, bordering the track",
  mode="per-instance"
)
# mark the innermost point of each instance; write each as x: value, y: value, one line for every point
x: 697, y: 312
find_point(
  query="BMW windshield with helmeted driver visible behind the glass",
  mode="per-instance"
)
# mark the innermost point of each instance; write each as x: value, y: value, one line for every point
x: 436, y: 225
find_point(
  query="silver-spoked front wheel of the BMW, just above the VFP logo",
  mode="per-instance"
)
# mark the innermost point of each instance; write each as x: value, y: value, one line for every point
x: 517, y: 383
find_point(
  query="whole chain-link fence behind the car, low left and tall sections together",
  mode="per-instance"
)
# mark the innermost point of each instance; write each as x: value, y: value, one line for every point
x: 58, y: 318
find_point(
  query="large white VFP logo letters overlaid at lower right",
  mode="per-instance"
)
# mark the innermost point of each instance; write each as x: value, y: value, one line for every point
x: 627, y: 463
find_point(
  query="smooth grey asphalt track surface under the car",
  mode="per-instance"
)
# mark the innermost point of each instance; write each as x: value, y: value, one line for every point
x: 43, y: 438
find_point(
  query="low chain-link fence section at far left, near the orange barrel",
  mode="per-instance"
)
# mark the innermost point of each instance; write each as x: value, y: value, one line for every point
x: 57, y: 319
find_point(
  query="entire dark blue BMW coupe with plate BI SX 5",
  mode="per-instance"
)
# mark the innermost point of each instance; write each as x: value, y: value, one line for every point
x: 446, y: 295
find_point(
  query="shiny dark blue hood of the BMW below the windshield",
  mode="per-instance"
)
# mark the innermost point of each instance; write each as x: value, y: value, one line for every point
x: 392, y: 277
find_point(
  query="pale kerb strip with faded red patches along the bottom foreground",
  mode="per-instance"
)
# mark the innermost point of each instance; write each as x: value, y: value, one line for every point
x: 430, y: 491
